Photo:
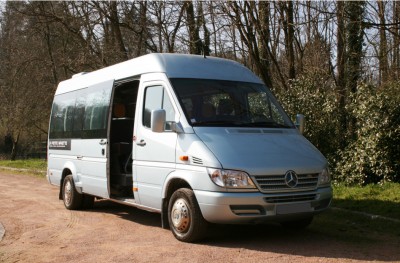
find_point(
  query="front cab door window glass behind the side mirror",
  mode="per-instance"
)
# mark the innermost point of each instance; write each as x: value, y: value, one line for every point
x: 156, y: 98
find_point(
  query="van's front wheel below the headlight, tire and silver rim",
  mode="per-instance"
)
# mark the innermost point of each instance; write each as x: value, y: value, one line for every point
x: 184, y: 216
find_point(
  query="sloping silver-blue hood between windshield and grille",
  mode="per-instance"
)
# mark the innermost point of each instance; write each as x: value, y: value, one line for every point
x: 259, y: 151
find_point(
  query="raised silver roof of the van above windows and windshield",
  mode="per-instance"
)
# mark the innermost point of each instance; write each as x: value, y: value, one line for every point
x: 173, y: 65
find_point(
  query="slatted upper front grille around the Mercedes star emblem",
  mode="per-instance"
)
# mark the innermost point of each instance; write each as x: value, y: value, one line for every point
x: 274, y: 183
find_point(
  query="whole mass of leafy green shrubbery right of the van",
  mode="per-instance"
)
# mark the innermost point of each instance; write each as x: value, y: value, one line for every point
x: 372, y: 155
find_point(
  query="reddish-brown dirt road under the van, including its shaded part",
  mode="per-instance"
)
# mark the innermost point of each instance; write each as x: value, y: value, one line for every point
x: 39, y: 229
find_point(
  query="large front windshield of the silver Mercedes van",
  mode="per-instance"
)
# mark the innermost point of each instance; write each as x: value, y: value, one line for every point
x: 229, y: 103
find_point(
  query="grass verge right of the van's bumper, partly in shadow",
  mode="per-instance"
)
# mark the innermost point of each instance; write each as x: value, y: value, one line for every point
x: 345, y: 225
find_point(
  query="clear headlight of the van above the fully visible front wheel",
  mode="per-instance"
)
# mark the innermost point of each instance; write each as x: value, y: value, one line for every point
x: 230, y: 178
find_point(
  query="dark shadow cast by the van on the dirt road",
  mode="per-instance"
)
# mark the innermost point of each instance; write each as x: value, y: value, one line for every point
x: 315, y: 241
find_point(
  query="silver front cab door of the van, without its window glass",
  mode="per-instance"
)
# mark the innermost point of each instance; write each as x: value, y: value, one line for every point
x: 154, y: 153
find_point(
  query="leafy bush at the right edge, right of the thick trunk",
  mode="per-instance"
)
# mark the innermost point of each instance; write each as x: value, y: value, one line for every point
x: 374, y: 155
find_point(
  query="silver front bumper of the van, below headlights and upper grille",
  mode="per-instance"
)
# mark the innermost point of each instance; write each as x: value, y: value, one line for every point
x: 227, y: 208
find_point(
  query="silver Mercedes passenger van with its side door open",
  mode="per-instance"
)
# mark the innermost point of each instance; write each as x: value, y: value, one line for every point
x: 197, y: 139
